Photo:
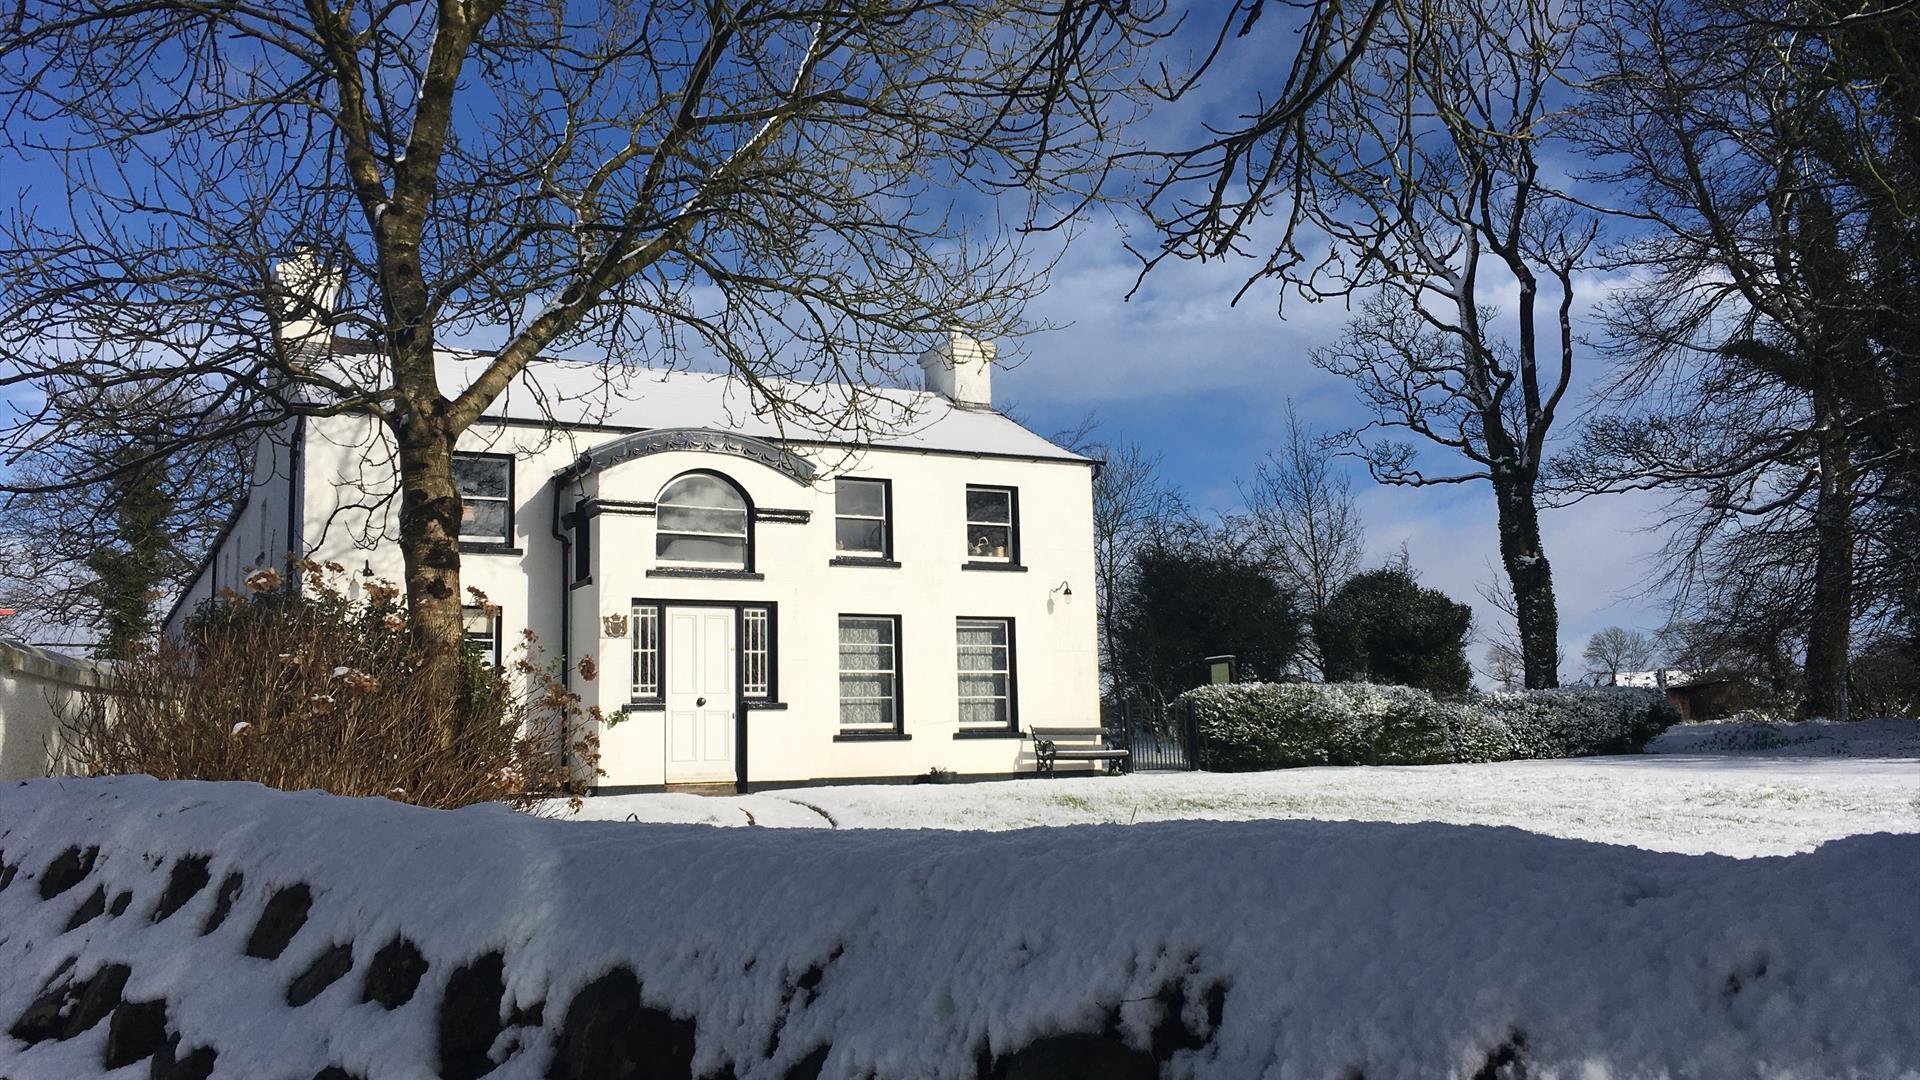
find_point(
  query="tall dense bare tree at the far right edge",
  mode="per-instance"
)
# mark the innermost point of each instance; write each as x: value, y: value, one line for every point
x: 1765, y: 355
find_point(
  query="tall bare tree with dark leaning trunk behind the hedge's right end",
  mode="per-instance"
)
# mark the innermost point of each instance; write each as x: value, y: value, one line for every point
x: 1422, y: 164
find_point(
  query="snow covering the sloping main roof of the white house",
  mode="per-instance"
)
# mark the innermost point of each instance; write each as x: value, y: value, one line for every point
x: 598, y: 395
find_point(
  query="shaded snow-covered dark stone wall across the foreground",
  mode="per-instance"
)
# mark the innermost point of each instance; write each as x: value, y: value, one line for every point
x: 229, y: 931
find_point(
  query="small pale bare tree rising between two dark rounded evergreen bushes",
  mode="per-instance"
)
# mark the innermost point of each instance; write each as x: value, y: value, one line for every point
x: 1303, y: 516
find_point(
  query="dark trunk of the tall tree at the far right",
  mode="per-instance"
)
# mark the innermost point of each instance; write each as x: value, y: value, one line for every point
x: 1829, y: 633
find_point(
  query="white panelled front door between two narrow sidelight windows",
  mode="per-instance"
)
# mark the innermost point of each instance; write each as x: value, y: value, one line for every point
x: 700, y: 695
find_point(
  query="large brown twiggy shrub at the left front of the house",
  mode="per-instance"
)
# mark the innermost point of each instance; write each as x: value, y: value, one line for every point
x: 314, y: 687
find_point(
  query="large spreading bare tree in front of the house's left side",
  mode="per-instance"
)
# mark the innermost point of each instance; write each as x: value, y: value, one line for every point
x: 623, y: 180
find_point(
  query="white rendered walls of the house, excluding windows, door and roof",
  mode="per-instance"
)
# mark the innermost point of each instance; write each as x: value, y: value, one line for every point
x: 1057, y: 668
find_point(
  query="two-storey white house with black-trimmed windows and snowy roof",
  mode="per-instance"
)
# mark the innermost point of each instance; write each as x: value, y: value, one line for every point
x: 765, y: 602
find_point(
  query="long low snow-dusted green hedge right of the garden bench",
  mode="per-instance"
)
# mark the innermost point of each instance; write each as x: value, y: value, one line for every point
x: 1274, y: 725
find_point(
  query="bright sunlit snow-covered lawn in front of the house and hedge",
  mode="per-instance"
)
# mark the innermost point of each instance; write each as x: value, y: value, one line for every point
x: 1723, y: 789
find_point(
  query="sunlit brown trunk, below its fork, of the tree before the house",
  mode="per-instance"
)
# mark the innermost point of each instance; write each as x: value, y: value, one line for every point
x: 429, y: 543
